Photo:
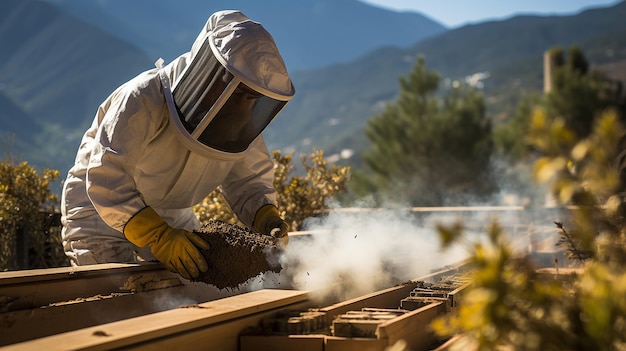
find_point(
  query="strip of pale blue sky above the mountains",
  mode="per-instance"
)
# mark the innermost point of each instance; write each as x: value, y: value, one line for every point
x: 454, y: 13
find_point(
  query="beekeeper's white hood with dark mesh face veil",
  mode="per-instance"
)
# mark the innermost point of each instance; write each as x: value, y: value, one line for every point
x: 234, y: 85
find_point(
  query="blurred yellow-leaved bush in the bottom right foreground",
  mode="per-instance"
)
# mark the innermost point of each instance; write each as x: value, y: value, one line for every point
x: 509, y: 304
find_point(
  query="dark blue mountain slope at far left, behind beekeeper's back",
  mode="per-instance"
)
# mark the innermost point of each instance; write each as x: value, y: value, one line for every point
x: 54, y: 72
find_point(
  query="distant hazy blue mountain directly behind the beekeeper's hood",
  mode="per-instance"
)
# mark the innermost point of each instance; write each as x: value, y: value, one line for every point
x: 310, y: 34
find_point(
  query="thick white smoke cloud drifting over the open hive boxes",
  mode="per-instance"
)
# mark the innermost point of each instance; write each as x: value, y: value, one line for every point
x: 345, y: 254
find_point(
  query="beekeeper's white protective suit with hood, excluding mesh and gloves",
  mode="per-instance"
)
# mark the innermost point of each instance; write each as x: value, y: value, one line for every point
x: 135, y: 153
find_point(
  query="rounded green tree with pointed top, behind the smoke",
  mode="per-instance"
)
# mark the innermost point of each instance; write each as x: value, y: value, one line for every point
x: 431, y: 151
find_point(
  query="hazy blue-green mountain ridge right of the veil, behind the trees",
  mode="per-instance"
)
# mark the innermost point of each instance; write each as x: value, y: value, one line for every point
x: 332, y: 104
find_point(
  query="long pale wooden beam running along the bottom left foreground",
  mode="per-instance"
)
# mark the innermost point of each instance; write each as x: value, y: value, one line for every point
x: 189, y: 326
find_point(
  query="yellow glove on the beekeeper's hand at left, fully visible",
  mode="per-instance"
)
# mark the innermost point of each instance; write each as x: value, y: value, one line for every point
x: 176, y: 248
